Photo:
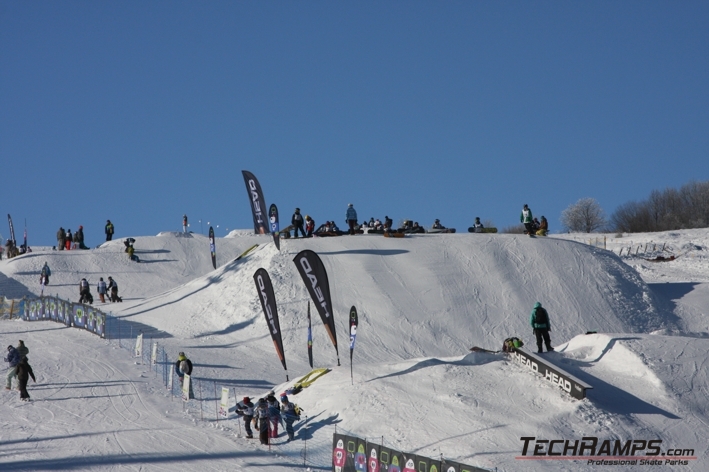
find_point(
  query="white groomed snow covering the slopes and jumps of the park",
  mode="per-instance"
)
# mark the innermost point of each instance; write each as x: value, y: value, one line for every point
x: 422, y: 302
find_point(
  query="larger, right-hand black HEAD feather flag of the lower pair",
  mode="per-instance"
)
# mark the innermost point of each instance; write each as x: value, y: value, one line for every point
x: 313, y: 272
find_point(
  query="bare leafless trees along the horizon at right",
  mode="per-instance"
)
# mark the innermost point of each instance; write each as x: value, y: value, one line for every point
x: 666, y: 210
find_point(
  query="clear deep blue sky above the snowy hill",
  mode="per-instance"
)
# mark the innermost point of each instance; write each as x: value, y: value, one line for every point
x: 140, y: 111
